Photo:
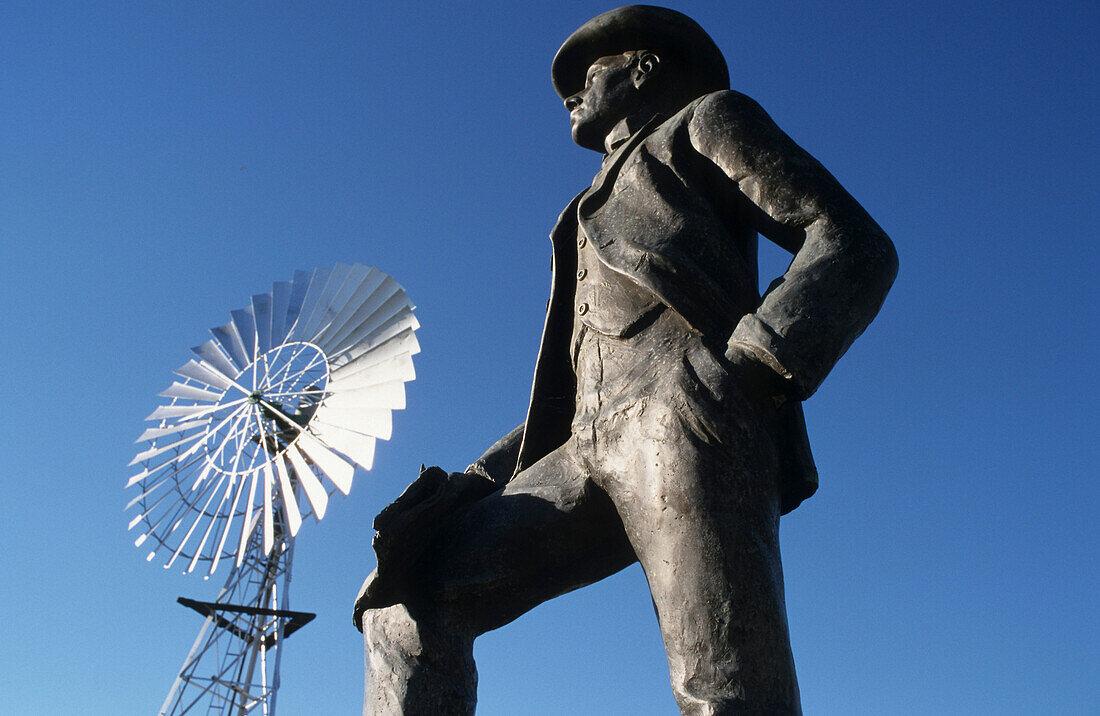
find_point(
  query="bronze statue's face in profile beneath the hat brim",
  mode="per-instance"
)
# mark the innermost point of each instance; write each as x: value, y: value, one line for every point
x: 610, y: 95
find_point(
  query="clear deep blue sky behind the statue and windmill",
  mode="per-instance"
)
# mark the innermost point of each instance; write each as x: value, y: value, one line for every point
x: 161, y: 162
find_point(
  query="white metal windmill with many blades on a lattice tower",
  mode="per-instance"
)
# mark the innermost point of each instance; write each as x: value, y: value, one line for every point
x: 268, y: 422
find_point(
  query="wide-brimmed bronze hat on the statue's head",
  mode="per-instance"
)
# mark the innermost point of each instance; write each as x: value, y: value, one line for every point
x: 689, y: 50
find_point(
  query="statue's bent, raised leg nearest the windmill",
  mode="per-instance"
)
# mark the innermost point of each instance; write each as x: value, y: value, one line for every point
x: 551, y: 531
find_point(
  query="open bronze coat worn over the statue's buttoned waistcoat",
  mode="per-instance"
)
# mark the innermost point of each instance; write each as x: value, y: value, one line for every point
x: 677, y: 210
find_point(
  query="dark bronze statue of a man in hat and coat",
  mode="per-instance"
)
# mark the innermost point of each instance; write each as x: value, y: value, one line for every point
x: 666, y: 424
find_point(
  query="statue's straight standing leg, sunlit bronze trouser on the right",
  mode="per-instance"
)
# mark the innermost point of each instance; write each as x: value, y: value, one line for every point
x: 695, y: 480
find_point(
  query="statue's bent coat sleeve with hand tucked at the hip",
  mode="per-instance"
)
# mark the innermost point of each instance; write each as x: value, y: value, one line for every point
x: 843, y: 265
